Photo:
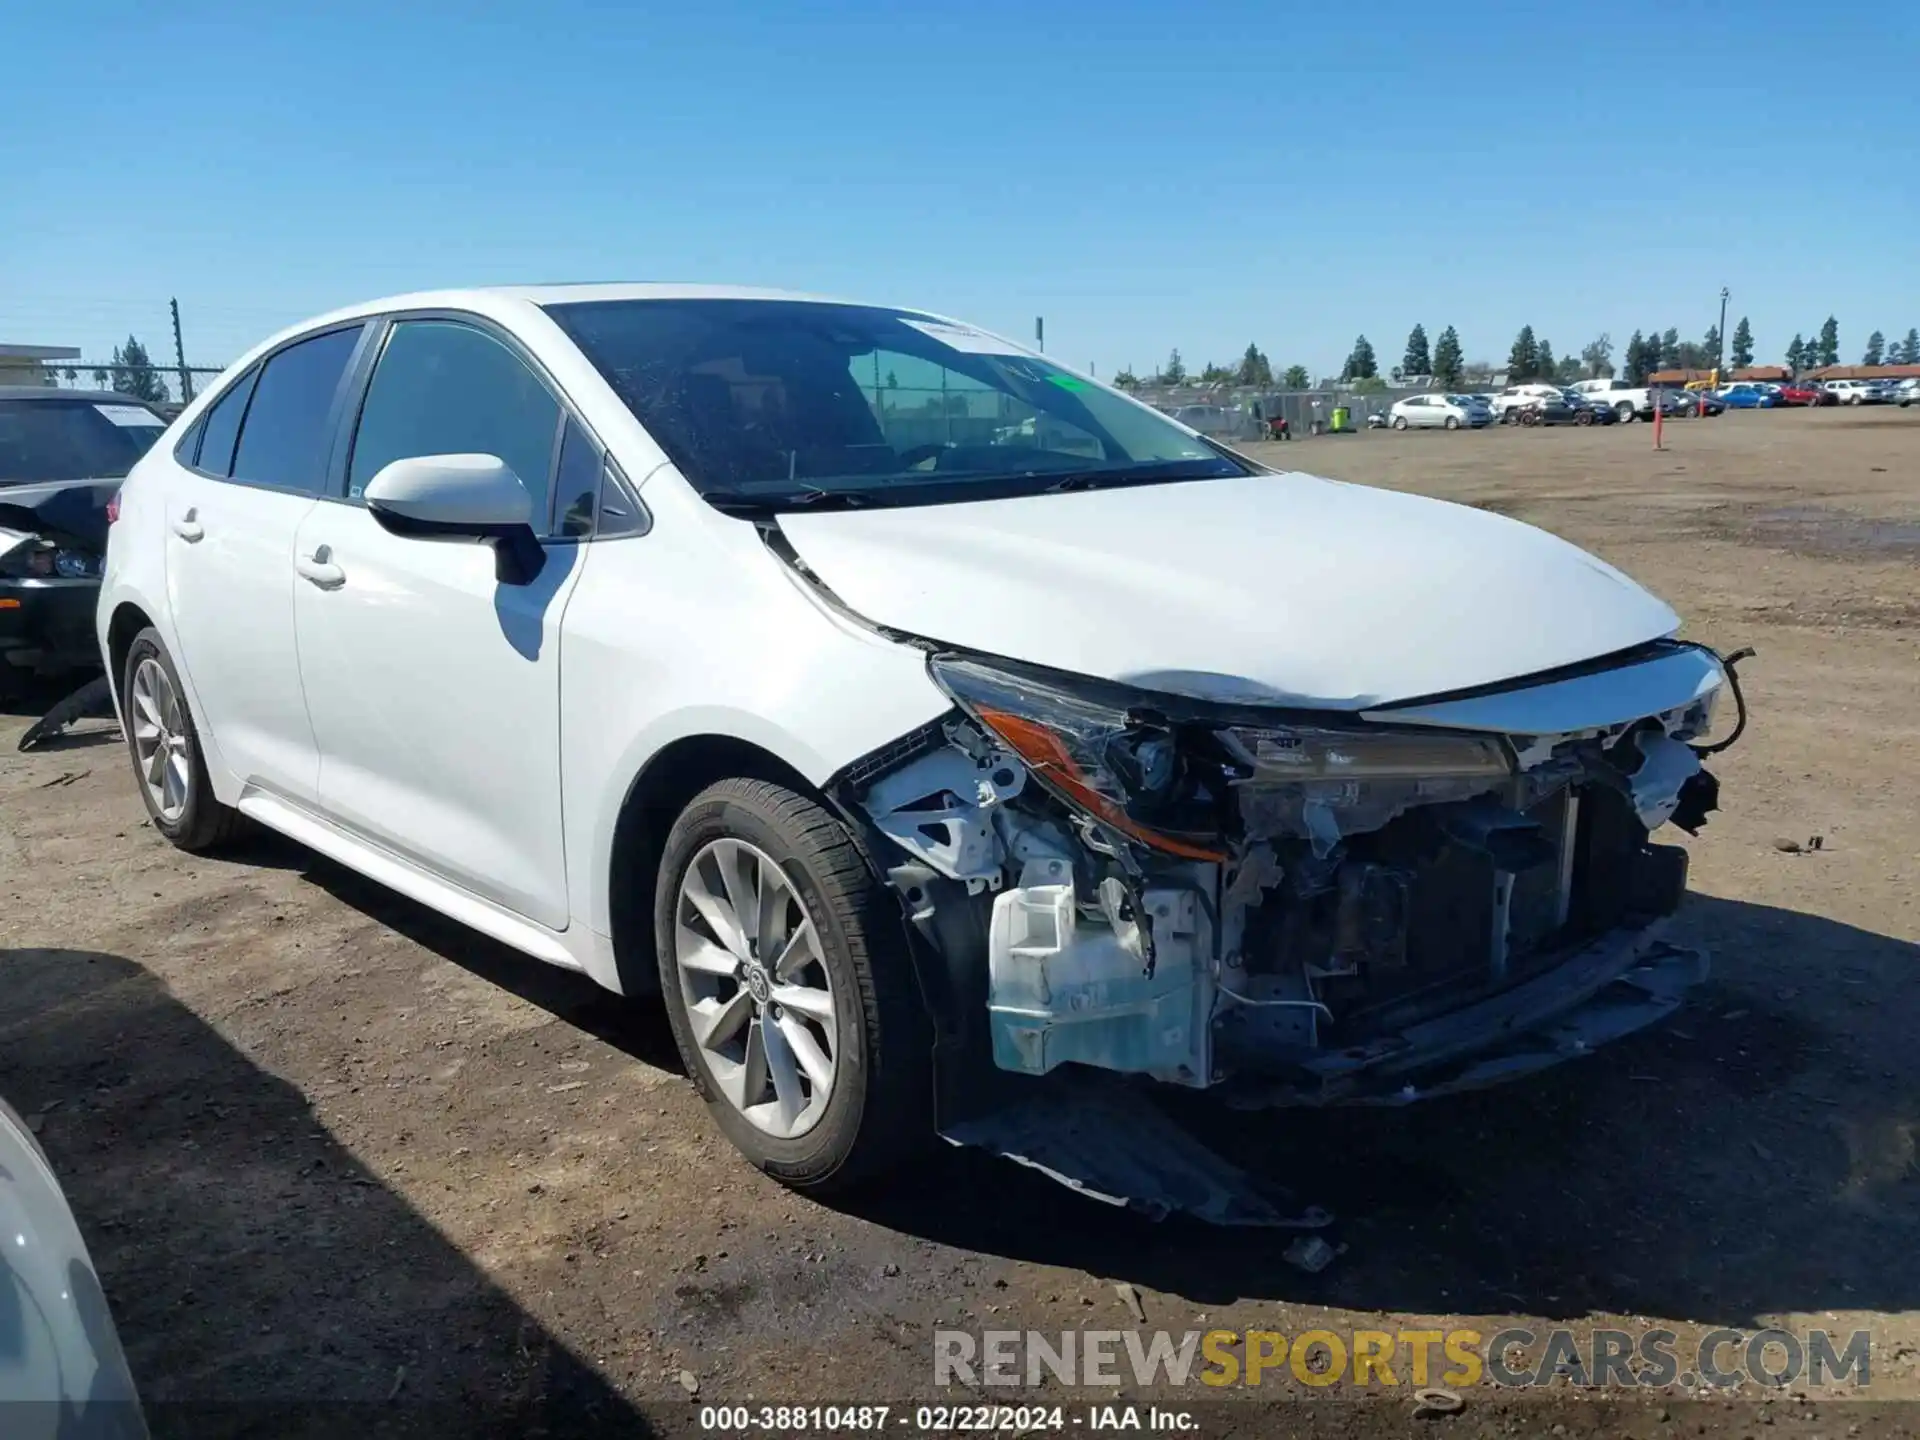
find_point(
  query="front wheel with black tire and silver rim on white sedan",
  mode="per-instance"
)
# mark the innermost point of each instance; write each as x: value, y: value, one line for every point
x: 790, y: 988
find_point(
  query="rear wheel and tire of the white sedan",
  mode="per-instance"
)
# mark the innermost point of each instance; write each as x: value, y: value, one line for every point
x: 164, y: 746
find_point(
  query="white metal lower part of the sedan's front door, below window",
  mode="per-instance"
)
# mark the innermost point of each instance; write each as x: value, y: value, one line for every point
x: 421, y: 652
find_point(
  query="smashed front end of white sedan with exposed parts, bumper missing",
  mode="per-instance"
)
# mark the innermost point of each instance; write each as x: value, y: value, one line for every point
x: 1297, y: 909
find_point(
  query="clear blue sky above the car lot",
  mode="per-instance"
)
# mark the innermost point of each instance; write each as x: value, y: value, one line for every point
x: 1143, y: 176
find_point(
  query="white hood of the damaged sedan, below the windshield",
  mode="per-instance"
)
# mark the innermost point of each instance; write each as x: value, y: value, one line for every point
x: 1266, y: 588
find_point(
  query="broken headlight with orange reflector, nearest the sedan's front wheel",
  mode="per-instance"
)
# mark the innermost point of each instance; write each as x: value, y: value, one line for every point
x: 1128, y: 773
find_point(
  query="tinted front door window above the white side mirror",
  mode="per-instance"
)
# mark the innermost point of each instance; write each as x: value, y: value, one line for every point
x: 446, y: 389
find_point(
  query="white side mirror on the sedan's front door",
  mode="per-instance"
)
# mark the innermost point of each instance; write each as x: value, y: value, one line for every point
x: 462, y: 498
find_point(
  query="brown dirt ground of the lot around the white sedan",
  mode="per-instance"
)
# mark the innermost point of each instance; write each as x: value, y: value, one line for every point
x: 329, y: 1147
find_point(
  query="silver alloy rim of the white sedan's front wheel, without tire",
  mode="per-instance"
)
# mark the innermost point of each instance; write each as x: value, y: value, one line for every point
x: 756, y: 984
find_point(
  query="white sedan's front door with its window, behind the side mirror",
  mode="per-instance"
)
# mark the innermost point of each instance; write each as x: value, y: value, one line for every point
x: 435, y: 688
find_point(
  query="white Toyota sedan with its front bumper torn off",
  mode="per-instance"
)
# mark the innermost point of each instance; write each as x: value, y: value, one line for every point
x: 917, y: 715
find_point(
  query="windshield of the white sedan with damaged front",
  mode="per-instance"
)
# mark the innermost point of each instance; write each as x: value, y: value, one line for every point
x: 771, y: 404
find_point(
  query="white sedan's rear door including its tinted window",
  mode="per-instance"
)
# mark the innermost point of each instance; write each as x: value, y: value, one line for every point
x: 233, y: 512
